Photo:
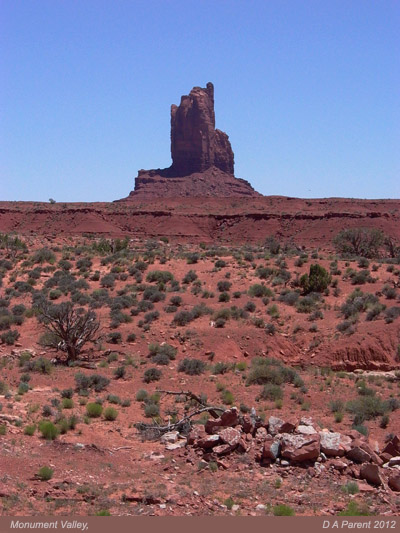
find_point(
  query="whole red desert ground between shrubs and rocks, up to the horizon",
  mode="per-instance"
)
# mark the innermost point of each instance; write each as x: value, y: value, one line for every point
x: 106, y: 465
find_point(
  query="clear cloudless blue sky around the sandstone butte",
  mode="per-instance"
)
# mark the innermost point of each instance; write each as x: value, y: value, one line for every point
x: 307, y: 90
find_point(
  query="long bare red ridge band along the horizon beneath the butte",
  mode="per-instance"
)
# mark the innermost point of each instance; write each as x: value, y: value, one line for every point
x: 310, y: 223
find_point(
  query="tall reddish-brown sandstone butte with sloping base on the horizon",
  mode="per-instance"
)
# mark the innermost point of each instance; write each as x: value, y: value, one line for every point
x: 202, y: 156
